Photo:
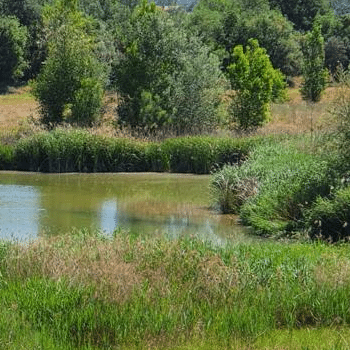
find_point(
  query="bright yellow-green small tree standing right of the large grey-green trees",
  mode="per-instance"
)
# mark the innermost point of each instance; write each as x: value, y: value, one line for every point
x: 256, y: 84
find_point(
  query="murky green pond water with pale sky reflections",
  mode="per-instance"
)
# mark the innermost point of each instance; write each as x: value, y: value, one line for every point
x: 33, y: 204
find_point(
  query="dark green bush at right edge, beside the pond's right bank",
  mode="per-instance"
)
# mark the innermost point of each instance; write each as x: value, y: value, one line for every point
x: 330, y: 218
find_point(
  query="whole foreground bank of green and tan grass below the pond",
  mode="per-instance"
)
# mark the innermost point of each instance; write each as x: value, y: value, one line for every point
x: 92, y: 292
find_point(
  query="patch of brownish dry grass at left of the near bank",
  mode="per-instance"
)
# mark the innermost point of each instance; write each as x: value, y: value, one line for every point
x: 90, y: 262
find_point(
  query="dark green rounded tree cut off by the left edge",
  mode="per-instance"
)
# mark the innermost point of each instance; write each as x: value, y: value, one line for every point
x: 13, y: 44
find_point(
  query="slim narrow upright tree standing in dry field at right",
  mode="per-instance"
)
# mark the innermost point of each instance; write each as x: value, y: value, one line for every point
x: 315, y: 76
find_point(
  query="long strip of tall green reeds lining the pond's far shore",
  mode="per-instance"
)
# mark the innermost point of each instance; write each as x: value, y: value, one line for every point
x: 76, y: 150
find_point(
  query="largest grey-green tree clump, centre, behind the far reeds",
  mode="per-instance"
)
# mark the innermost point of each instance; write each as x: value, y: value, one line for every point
x: 168, y: 77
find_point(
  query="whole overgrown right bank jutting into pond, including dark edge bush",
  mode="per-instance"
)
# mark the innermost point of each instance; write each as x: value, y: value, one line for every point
x: 274, y: 190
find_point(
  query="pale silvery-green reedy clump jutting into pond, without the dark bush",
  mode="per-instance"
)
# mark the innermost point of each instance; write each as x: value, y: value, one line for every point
x: 282, y: 182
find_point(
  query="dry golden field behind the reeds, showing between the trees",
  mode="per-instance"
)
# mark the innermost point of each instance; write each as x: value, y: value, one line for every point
x: 19, y: 115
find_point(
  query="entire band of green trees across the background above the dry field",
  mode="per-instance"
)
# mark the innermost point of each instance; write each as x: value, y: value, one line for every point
x: 170, y: 68
